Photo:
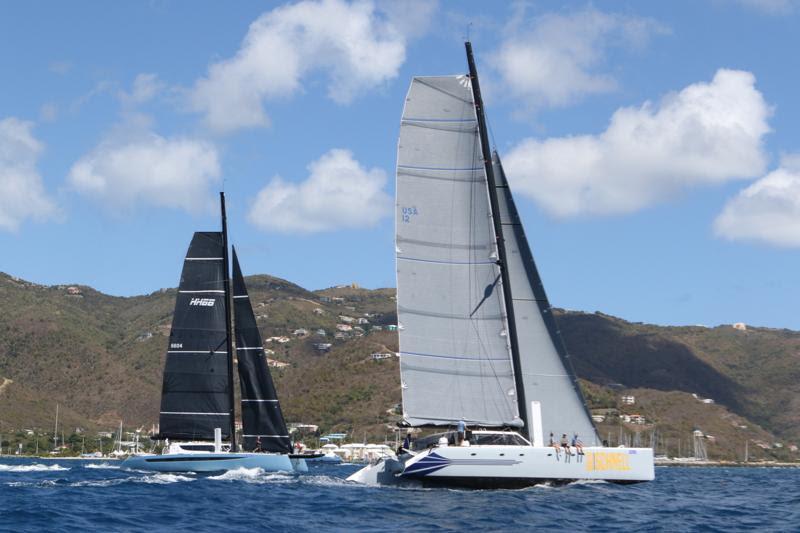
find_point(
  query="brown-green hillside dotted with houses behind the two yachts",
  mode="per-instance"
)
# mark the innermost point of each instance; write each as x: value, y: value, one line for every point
x: 100, y: 358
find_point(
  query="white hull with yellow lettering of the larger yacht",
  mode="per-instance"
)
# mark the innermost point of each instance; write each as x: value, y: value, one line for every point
x: 512, y: 466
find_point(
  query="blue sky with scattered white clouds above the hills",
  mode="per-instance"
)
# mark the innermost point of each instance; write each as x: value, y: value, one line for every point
x: 651, y: 145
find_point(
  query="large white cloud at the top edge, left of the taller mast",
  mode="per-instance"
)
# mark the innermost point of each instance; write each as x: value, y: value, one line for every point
x: 353, y: 43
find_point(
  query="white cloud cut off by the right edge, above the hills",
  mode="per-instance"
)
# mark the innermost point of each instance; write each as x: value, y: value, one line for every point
x: 767, y: 211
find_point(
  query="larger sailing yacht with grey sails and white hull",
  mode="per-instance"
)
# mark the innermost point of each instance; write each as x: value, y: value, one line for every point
x: 479, y: 345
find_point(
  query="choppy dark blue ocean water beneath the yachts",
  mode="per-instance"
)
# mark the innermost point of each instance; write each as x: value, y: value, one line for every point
x: 48, y: 495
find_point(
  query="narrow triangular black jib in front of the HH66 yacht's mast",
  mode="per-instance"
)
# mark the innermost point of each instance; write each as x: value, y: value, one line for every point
x: 263, y: 426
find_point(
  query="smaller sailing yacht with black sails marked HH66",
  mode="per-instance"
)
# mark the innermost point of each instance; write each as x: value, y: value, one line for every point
x: 197, y: 418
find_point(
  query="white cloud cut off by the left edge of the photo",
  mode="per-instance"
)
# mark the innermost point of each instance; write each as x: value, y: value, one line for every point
x: 22, y: 194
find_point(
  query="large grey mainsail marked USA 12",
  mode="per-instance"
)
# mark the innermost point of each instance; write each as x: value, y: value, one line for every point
x: 455, y: 359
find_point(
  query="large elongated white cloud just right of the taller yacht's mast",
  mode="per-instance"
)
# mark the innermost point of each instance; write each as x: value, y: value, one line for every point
x: 707, y: 133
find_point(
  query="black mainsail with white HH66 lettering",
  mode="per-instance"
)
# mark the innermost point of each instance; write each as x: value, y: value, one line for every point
x: 195, y: 396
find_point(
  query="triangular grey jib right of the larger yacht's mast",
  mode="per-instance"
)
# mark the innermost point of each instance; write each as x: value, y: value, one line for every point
x: 547, y: 374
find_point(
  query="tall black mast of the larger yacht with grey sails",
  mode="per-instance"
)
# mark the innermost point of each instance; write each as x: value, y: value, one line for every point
x: 498, y: 231
